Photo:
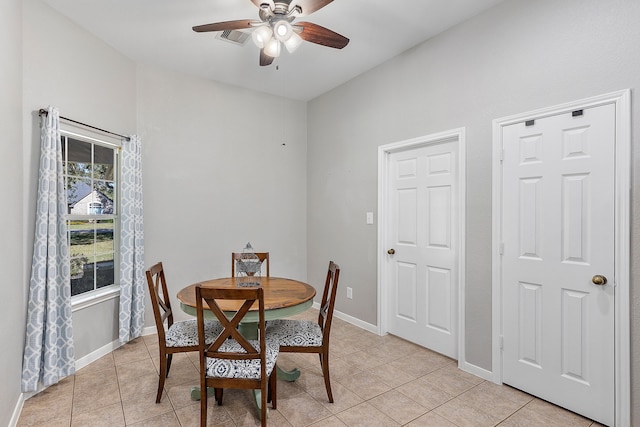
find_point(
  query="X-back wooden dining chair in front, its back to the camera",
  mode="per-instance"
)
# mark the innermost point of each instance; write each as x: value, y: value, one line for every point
x: 231, y: 360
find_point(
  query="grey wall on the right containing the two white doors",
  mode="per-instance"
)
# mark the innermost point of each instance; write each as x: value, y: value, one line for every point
x: 521, y: 55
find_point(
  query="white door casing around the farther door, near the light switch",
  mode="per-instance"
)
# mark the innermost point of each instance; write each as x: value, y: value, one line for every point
x: 385, y: 153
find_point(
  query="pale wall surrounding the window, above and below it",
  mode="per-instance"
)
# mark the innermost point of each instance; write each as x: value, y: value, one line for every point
x: 66, y: 67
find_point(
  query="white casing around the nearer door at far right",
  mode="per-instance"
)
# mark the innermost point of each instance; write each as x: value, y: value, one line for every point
x: 621, y: 103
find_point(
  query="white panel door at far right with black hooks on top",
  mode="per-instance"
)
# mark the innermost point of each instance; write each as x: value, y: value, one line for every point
x: 558, y: 237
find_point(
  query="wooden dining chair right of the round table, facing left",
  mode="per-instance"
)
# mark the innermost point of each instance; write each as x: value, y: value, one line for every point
x: 305, y: 336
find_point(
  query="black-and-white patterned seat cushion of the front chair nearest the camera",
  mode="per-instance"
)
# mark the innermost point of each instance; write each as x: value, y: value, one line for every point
x: 247, y: 369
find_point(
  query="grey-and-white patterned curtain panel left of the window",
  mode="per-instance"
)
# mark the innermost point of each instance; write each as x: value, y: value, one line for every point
x: 48, y: 352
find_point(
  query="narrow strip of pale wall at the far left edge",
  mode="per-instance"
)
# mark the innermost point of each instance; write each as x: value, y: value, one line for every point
x: 13, y: 293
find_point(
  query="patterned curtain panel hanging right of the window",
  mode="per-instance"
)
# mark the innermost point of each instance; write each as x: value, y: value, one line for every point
x: 132, y: 275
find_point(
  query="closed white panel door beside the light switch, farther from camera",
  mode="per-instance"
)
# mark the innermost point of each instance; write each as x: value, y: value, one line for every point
x: 422, y: 293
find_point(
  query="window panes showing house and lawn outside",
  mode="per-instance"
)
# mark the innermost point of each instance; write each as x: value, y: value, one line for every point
x: 91, y: 182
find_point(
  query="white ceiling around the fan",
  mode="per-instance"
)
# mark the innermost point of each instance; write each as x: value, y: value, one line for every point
x: 159, y: 32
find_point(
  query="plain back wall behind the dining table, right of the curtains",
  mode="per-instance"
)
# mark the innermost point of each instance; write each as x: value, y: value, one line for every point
x: 220, y: 168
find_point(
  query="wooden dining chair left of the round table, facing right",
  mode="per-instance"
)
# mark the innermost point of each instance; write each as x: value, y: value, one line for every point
x: 178, y: 337
